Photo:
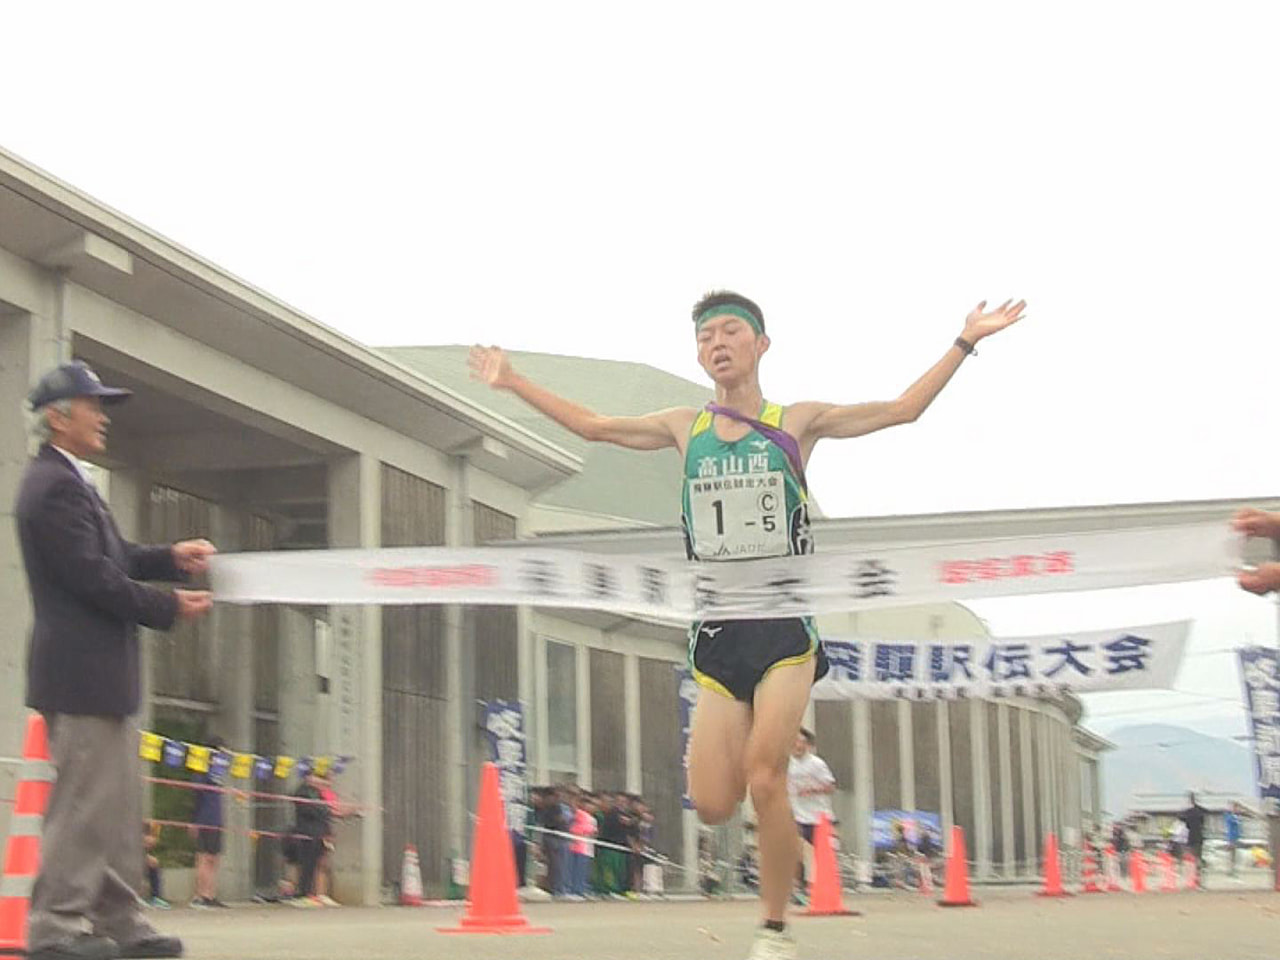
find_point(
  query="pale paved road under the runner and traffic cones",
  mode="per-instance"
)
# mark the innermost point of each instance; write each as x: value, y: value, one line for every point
x: 1009, y: 926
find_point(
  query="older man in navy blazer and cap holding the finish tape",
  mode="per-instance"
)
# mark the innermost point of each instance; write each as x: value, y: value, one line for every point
x: 84, y: 676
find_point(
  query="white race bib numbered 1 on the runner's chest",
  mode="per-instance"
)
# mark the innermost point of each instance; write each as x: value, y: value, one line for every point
x: 739, y: 518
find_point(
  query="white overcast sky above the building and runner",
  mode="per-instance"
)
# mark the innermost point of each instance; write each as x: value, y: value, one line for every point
x: 570, y: 177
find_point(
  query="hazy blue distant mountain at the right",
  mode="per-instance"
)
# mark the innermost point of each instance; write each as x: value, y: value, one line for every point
x: 1164, y: 758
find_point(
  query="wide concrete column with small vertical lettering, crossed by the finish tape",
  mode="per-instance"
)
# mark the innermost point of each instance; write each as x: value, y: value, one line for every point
x: 355, y: 522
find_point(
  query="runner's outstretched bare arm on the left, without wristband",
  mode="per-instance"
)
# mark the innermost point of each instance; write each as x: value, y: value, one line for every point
x: 652, y: 432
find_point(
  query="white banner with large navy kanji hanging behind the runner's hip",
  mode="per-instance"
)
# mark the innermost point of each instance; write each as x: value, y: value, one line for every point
x: 1130, y: 659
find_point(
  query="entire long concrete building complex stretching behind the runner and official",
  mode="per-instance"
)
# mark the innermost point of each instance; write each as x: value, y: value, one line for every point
x: 263, y: 429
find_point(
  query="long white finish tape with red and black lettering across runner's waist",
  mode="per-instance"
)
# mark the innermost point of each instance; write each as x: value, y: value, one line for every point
x: 872, y: 577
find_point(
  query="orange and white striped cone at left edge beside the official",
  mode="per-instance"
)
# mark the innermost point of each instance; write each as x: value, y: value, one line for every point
x: 22, y: 856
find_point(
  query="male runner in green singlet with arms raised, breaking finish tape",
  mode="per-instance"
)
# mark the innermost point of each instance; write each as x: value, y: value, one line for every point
x: 760, y: 671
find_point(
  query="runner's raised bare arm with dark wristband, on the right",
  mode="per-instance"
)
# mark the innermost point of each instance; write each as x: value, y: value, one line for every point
x: 816, y: 422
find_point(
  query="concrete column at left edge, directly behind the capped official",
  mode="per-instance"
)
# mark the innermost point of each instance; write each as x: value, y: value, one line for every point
x: 30, y: 346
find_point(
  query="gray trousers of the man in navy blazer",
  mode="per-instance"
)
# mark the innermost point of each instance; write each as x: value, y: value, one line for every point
x: 92, y: 852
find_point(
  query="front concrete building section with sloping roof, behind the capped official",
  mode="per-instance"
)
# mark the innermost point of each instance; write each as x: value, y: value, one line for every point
x: 260, y: 428
